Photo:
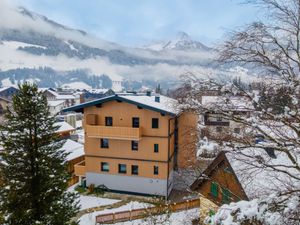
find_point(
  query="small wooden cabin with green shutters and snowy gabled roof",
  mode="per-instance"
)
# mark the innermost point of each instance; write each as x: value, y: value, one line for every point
x: 232, y: 177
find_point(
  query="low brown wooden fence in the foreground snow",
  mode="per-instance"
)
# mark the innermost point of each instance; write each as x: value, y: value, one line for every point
x: 141, y: 213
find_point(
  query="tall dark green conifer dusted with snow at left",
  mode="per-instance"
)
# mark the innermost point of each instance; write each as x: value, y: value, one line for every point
x: 33, y: 168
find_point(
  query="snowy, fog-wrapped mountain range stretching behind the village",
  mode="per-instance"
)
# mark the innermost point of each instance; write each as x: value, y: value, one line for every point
x: 36, y: 48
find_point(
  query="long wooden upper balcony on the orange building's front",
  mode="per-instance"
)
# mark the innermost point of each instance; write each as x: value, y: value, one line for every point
x: 119, y: 133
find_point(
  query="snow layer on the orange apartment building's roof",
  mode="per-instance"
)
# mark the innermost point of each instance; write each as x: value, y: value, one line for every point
x: 165, y: 103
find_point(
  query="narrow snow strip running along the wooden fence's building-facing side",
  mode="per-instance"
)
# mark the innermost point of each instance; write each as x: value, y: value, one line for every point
x: 89, y: 218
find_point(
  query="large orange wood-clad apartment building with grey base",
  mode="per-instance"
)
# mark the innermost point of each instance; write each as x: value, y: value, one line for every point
x: 131, y: 143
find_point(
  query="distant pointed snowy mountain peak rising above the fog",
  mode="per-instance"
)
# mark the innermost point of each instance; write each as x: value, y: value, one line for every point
x: 182, y: 42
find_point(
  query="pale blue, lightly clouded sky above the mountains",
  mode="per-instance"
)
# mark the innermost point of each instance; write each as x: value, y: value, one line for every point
x: 138, y: 22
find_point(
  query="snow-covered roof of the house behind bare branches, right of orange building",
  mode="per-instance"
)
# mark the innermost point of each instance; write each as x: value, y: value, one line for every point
x: 234, y: 103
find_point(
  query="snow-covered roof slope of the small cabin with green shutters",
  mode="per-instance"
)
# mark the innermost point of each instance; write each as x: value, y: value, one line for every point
x: 257, y: 179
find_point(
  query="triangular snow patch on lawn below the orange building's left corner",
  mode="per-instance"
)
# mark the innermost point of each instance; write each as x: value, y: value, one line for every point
x: 86, y: 202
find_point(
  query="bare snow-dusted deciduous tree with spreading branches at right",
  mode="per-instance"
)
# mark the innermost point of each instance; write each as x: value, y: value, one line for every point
x: 272, y: 49
